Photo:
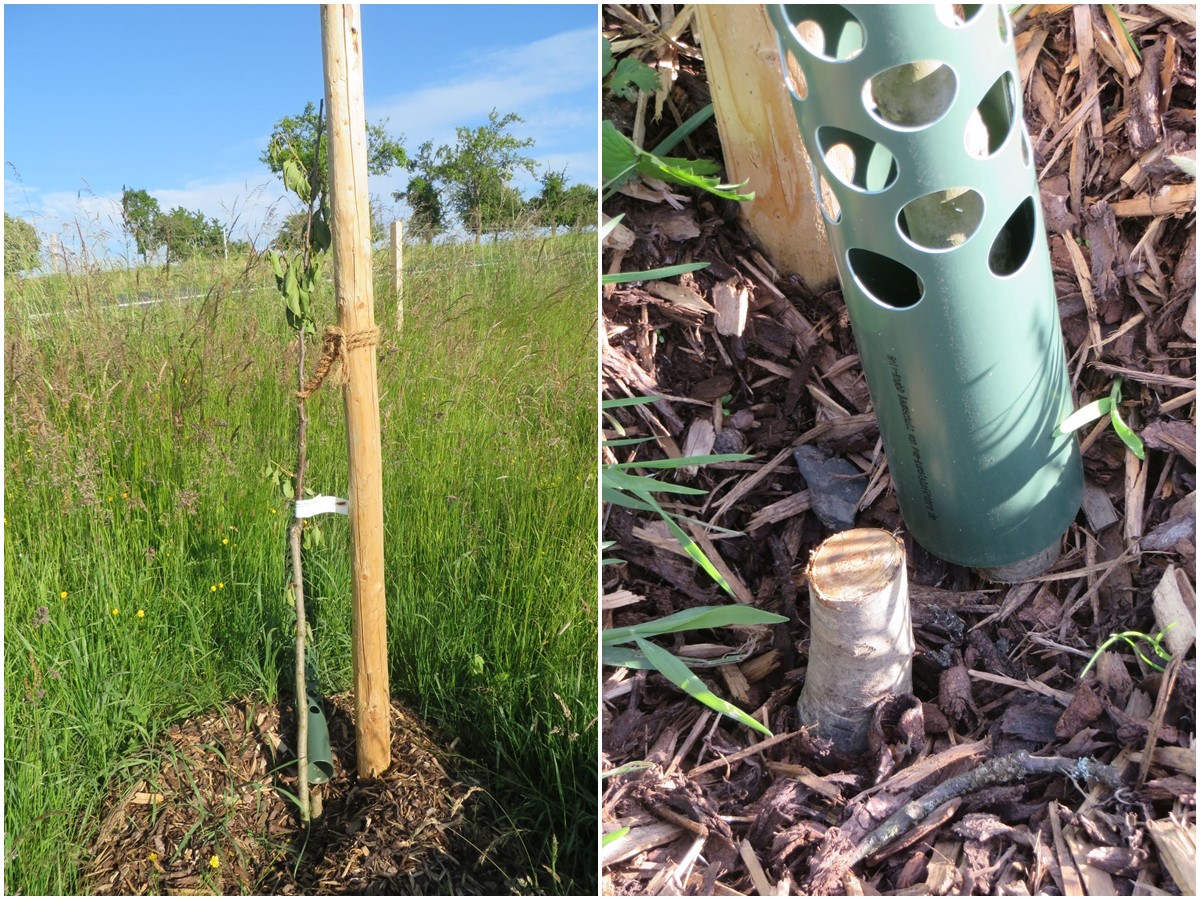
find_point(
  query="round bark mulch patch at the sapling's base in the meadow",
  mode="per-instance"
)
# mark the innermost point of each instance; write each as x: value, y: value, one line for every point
x: 212, y: 812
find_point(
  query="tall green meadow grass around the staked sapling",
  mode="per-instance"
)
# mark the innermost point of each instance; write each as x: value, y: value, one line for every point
x: 135, y: 451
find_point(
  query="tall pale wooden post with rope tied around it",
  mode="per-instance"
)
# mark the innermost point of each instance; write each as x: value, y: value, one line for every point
x: 343, y: 51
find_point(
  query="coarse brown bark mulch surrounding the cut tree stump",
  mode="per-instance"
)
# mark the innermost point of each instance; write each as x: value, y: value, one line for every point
x: 1013, y: 776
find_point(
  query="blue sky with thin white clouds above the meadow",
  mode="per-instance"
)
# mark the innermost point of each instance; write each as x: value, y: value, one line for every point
x: 181, y: 100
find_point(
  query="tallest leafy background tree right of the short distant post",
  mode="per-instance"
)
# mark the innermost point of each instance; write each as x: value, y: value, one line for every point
x: 478, y: 170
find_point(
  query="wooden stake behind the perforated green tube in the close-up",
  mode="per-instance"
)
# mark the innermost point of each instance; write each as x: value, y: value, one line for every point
x: 763, y: 142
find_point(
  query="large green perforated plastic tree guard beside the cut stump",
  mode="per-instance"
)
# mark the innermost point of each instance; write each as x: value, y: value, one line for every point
x: 925, y: 171
